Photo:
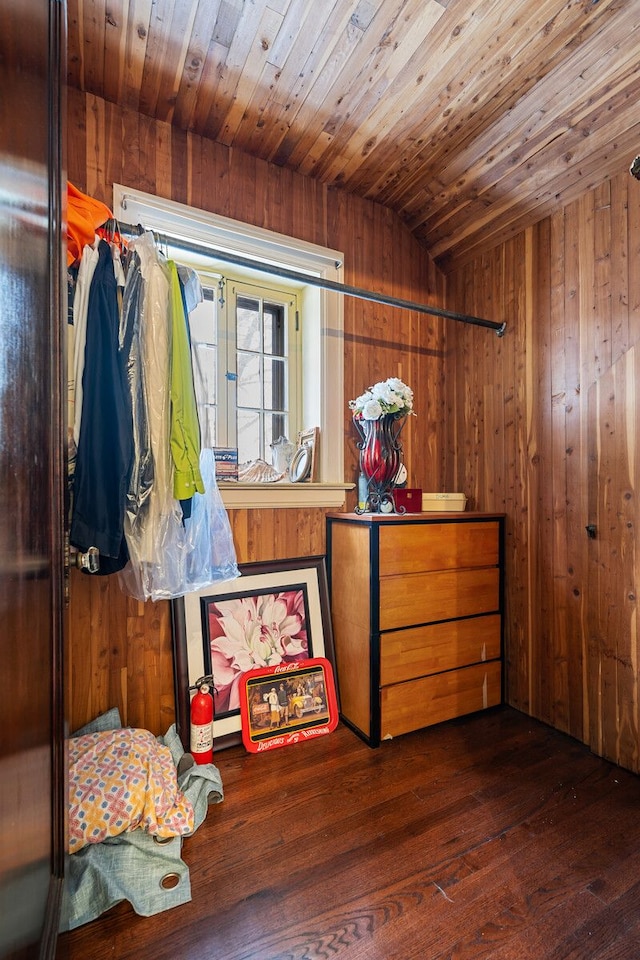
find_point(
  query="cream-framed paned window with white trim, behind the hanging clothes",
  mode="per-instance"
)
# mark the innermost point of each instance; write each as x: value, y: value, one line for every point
x: 270, y: 349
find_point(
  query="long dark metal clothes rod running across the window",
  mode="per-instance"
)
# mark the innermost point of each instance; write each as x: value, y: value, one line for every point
x: 180, y: 244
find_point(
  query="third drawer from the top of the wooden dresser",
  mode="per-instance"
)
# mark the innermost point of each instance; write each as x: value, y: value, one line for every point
x: 411, y: 653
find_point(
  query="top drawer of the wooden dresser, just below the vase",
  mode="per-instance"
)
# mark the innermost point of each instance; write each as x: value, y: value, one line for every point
x: 419, y: 547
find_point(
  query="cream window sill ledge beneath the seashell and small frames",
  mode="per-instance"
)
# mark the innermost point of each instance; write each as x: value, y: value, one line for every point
x: 254, y: 496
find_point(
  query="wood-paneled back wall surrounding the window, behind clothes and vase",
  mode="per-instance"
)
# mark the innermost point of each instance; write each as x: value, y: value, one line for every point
x: 120, y: 650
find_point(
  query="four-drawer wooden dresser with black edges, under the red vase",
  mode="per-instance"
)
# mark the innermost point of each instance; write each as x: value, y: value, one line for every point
x: 416, y: 605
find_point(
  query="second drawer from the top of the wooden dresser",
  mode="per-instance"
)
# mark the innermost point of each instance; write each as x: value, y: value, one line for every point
x: 445, y: 595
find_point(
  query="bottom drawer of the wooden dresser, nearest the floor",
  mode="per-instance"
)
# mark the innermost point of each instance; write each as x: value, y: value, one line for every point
x: 420, y: 703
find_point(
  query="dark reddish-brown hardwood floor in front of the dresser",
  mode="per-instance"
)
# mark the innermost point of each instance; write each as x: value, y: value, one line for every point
x: 492, y: 836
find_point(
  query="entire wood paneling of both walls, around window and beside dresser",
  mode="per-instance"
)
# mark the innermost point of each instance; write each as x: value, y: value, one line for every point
x: 540, y: 424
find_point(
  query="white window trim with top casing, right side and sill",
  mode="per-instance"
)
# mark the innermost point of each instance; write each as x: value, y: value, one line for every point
x: 189, y: 223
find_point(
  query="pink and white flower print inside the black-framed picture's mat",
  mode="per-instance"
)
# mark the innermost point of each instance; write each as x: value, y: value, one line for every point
x: 249, y: 632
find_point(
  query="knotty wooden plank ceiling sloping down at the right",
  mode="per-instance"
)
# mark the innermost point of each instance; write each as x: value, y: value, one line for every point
x: 469, y: 118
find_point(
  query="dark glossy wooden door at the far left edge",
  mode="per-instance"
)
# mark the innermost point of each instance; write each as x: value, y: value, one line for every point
x: 32, y: 802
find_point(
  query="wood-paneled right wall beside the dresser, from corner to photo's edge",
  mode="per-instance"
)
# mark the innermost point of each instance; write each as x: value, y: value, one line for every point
x: 544, y: 426
